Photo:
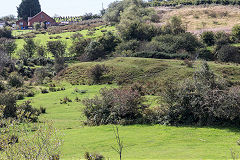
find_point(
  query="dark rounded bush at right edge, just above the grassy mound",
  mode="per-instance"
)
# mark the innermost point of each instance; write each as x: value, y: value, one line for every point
x: 228, y: 53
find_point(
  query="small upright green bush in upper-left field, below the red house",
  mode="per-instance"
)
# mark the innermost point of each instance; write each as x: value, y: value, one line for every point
x: 29, y: 47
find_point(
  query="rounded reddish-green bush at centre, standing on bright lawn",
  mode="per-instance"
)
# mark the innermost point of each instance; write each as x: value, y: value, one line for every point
x: 114, y: 106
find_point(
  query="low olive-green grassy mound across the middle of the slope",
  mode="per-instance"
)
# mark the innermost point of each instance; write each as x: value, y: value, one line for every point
x: 129, y: 70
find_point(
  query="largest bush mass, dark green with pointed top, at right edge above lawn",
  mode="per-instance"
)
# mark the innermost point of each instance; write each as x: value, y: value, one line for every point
x: 203, y: 100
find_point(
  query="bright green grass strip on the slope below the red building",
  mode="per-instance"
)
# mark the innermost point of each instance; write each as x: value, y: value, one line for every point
x: 42, y: 39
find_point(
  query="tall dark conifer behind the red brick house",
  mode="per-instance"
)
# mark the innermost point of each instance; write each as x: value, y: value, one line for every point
x: 28, y: 8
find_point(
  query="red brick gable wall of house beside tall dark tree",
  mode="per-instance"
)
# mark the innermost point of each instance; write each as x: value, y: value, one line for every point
x: 41, y: 17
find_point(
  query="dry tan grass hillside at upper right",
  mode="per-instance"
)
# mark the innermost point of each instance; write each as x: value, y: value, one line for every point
x: 203, y: 17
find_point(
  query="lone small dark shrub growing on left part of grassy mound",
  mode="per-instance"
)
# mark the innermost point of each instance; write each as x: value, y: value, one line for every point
x: 96, y: 73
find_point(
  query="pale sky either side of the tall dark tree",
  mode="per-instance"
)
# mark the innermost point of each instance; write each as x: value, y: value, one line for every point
x: 59, y: 7
